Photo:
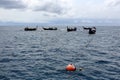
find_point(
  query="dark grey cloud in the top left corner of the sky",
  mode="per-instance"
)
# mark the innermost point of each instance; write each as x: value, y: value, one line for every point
x: 12, y: 4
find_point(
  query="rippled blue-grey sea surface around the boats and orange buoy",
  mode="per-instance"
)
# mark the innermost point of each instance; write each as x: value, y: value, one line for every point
x: 43, y: 55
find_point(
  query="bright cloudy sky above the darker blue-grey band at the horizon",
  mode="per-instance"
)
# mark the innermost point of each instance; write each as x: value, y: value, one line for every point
x: 47, y: 10
